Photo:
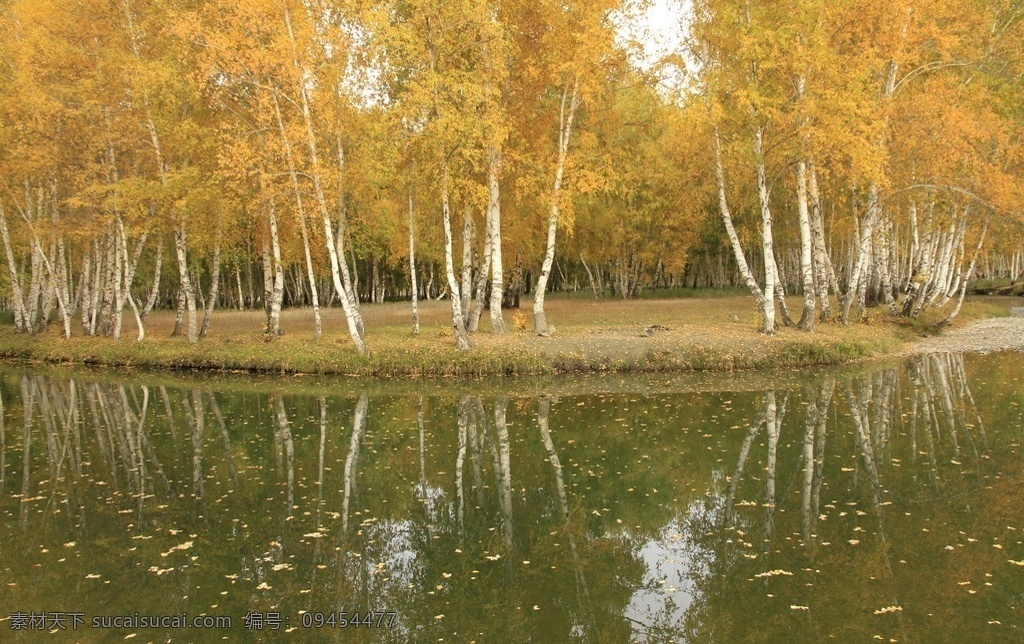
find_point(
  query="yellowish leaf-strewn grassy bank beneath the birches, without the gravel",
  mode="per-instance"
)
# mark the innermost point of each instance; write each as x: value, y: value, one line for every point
x: 660, y: 335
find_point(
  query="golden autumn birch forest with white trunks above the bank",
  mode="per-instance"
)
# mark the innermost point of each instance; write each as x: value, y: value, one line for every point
x: 190, y: 155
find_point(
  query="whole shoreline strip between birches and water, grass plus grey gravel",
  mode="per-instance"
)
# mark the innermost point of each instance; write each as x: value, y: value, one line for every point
x: 609, y: 347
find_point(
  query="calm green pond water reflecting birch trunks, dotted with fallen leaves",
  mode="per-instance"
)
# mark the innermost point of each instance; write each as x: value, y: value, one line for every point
x: 879, y: 503
